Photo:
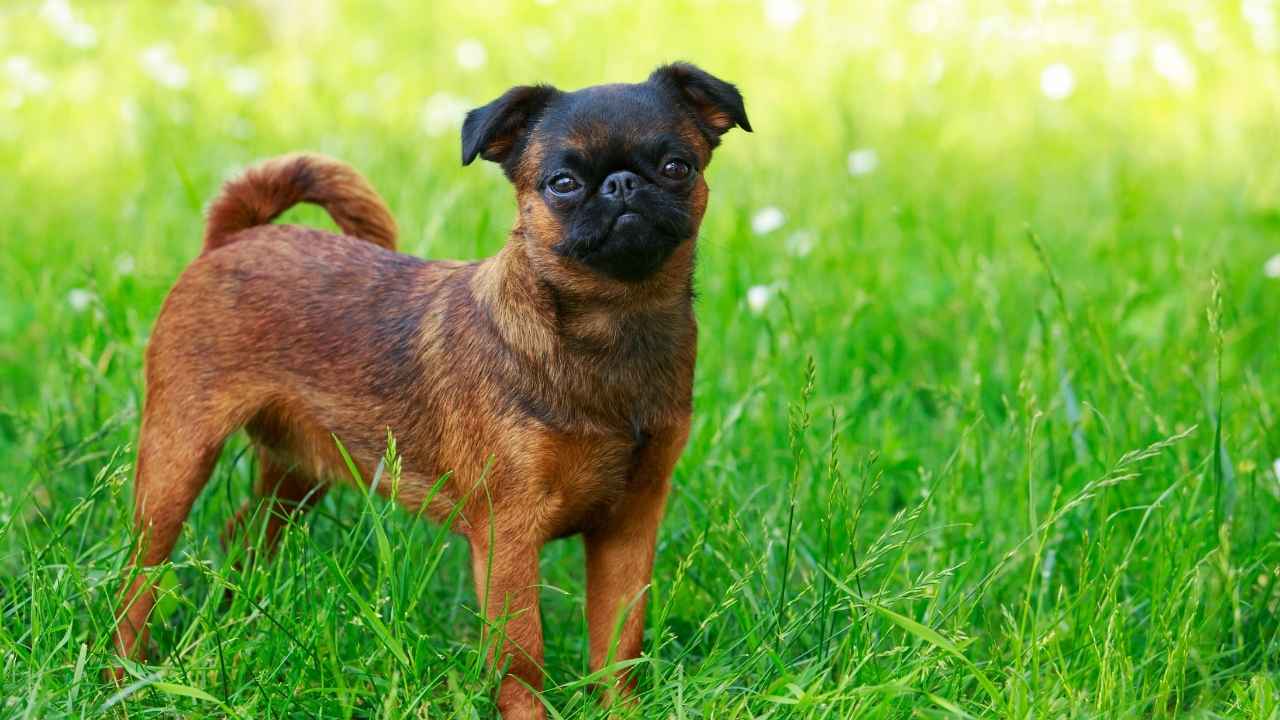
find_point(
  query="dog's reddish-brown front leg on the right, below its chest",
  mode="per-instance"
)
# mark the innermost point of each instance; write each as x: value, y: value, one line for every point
x: 620, y: 557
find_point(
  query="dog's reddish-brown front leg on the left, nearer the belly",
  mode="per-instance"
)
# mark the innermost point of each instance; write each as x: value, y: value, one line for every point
x: 506, y: 577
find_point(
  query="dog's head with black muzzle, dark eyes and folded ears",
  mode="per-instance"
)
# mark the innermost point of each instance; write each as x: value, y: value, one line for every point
x: 609, y: 179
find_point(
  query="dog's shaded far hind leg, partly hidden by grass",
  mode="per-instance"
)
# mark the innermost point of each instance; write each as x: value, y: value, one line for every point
x: 289, y: 493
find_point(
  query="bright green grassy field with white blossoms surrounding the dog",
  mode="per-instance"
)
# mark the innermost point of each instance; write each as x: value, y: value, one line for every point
x: 988, y: 403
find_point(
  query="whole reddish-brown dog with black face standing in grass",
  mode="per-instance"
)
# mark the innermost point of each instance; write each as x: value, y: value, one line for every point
x: 552, y: 382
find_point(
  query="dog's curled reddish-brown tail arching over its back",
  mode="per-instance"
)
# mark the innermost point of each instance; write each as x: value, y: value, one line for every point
x: 262, y: 193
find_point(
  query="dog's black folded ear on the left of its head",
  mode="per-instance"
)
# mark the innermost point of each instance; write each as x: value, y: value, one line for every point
x: 499, y: 131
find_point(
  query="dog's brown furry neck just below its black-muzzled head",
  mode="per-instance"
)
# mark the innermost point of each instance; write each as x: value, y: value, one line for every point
x: 543, y: 312
